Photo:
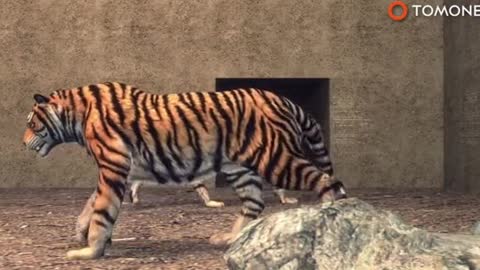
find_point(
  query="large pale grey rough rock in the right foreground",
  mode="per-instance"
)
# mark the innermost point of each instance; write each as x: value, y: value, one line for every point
x: 349, y: 234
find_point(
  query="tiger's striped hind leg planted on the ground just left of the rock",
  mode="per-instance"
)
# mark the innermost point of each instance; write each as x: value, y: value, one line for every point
x: 248, y: 186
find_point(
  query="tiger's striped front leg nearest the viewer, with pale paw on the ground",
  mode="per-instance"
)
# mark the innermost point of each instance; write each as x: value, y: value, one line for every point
x: 106, y: 206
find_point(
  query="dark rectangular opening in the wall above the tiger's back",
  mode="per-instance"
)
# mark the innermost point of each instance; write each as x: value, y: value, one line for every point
x: 312, y: 94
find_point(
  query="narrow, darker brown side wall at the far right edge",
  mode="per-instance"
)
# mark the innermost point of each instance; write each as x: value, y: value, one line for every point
x: 462, y: 102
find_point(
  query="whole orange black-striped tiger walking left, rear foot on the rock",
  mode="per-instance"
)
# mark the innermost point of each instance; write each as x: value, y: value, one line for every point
x: 249, y: 135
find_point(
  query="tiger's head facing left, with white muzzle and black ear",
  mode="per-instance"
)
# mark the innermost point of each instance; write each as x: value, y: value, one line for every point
x: 44, y: 126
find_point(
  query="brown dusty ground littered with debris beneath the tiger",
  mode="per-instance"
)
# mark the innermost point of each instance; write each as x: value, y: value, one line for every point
x: 171, y: 228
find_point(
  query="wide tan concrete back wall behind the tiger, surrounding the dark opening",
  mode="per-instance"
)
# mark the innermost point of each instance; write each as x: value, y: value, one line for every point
x: 386, y: 77
